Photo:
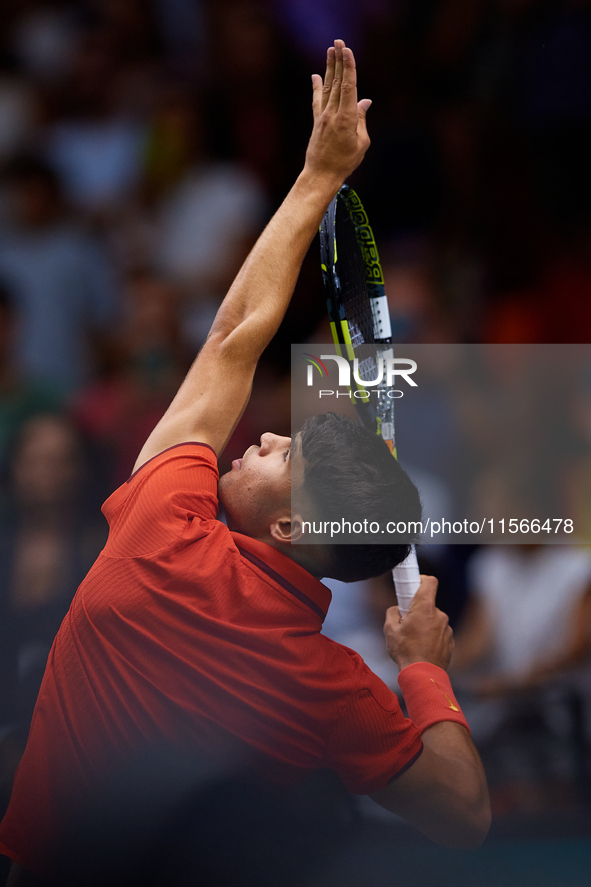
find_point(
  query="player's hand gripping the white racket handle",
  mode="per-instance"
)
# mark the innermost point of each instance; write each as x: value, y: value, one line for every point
x: 424, y: 635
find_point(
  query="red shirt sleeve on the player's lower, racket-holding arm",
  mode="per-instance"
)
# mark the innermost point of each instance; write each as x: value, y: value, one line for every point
x: 372, y: 742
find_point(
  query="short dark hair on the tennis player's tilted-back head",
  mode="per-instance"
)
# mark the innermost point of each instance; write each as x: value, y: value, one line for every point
x: 349, y: 473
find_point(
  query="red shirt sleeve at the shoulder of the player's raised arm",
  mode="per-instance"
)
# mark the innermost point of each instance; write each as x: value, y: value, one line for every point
x: 162, y: 500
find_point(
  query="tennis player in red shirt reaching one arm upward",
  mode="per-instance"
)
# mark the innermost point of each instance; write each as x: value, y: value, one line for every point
x: 206, y: 636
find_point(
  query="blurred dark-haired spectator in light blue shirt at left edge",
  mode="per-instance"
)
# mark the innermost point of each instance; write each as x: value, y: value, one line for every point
x: 59, y: 278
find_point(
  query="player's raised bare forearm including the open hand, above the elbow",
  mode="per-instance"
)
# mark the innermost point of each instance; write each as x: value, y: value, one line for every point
x: 258, y: 299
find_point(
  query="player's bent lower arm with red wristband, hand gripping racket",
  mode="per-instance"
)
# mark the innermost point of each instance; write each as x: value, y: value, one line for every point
x: 444, y: 793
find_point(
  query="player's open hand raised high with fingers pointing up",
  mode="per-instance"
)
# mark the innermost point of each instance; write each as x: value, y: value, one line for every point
x: 339, y: 139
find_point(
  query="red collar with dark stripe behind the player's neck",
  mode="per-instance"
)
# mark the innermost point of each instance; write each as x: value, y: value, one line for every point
x: 286, y: 572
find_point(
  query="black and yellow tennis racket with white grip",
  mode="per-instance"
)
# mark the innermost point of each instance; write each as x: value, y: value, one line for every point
x: 359, y: 315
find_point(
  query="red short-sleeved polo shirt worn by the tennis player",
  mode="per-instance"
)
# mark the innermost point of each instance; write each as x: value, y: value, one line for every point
x: 186, y: 633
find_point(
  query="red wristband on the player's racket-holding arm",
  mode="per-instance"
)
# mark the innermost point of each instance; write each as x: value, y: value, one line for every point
x: 428, y: 695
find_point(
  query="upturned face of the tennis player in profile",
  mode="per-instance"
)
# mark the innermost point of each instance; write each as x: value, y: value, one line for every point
x: 256, y: 493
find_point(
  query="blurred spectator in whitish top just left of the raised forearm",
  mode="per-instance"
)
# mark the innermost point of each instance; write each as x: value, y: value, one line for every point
x: 209, y: 217
